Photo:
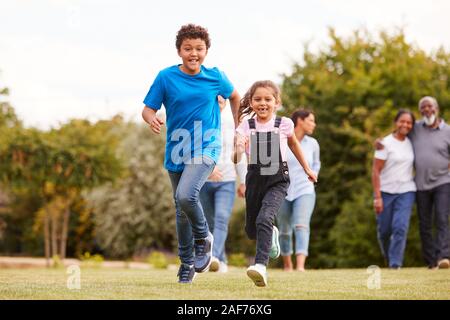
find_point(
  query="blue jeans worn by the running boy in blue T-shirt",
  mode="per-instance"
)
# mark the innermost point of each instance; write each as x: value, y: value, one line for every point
x: 190, y: 219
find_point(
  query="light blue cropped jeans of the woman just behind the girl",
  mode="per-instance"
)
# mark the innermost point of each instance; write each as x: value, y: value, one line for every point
x: 296, y: 216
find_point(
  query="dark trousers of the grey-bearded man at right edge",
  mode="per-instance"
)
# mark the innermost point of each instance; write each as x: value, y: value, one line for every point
x: 434, y: 203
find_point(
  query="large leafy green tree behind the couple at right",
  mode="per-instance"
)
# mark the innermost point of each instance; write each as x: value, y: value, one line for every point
x: 355, y: 86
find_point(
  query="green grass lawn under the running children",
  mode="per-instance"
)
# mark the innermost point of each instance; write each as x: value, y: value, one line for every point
x: 103, y: 283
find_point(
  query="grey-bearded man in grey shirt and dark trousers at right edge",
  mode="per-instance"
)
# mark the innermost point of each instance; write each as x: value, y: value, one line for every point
x: 431, y: 142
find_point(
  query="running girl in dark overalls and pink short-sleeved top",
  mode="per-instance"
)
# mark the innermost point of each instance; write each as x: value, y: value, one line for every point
x: 265, y: 139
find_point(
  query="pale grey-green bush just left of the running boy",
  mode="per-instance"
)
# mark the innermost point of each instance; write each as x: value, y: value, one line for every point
x: 137, y: 213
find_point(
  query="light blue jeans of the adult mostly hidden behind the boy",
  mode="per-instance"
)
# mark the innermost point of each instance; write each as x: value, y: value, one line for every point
x: 217, y: 201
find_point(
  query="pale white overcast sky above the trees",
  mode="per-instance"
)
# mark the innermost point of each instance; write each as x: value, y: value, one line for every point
x: 95, y: 58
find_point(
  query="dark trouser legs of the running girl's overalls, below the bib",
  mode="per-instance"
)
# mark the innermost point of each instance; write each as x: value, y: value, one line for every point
x: 264, y: 195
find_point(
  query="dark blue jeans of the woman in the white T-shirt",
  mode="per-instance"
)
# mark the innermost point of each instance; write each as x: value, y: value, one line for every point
x: 393, y: 225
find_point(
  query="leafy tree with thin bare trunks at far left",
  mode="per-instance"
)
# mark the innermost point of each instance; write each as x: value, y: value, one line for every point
x: 58, y: 165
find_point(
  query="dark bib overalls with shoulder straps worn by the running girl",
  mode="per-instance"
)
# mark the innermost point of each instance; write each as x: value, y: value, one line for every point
x: 267, y: 183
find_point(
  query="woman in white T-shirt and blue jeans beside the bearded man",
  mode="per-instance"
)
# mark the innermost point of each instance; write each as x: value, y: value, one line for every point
x: 394, y: 189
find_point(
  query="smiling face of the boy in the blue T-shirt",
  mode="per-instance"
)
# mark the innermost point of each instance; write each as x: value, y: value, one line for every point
x: 192, y: 53
